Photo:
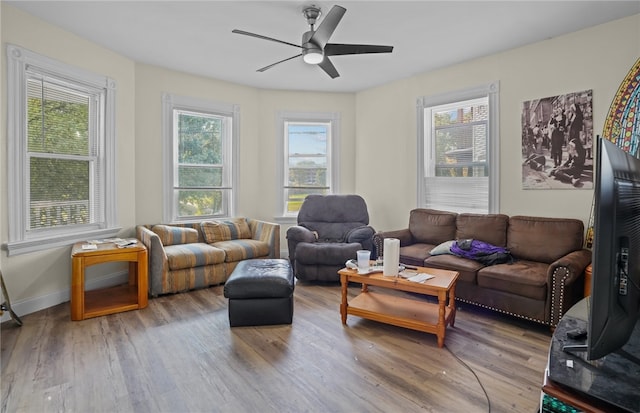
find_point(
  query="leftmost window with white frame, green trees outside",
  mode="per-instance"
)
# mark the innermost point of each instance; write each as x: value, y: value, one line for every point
x: 61, y: 153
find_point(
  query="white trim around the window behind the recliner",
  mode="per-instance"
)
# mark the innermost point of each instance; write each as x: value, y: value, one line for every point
x: 333, y: 152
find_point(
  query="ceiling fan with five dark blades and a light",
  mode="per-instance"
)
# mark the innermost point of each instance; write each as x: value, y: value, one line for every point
x: 315, y: 46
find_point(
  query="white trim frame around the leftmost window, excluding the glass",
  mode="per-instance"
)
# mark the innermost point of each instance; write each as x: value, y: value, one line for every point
x: 21, y: 242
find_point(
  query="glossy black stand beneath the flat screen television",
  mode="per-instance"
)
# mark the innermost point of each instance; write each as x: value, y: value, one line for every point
x: 607, y: 384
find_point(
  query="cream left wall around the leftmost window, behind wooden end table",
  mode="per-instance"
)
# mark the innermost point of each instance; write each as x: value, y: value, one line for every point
x: 41, y: 279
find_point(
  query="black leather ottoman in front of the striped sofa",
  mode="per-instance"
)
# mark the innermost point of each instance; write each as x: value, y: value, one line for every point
x: 260, y: 292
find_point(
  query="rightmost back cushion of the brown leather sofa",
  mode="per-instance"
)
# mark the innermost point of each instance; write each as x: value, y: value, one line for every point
x: 543, y: 239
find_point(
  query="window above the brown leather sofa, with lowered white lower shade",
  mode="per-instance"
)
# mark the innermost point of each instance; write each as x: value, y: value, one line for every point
x: 458, y: 151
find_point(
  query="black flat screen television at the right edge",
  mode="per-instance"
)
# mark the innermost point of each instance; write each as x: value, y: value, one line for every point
x: 615, y: 293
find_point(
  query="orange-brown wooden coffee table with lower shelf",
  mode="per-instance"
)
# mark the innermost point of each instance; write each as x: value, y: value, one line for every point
x: 400, y: 311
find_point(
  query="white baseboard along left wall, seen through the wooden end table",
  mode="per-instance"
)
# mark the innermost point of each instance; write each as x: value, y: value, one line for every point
x: 31, y: 305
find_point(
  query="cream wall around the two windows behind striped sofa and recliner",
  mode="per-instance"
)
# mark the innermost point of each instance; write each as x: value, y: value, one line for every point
x: 258, y: 136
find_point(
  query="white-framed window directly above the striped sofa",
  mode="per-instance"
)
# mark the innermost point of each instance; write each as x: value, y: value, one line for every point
x: 200, y: 158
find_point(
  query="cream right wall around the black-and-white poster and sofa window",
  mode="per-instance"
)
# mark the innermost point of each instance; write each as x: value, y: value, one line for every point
x: 597, y: 58
